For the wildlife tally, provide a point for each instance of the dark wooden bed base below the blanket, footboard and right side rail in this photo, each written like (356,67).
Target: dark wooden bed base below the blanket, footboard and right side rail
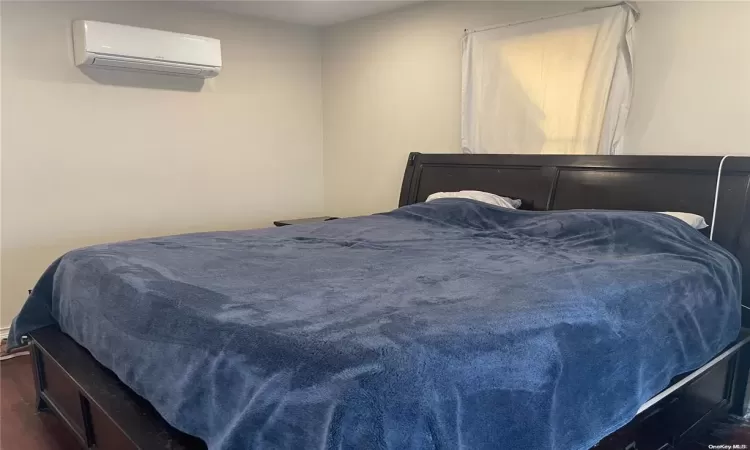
(103,413)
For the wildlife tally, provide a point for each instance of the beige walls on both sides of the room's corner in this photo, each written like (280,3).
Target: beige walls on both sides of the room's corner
(101,156)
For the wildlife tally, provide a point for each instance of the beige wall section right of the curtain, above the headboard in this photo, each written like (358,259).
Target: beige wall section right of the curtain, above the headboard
(692,79)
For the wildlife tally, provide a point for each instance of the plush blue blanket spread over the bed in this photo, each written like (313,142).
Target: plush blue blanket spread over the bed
(449,324)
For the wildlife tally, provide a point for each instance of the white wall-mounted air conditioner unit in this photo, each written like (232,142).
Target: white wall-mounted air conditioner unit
(111,46)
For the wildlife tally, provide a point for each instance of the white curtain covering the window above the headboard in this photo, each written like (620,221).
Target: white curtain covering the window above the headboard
(555,85)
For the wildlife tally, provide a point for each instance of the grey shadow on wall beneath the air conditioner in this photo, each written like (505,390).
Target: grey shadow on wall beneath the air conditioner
(143,79)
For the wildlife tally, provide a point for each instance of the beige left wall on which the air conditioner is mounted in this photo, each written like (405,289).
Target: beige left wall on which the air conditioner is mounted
(123,155)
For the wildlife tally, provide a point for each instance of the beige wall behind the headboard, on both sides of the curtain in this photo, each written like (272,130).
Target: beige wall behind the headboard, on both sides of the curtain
(391,85)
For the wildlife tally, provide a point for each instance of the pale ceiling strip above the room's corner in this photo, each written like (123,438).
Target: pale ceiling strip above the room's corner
(309,12)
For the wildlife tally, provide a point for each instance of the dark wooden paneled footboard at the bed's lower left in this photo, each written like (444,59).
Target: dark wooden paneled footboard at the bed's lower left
(100,410)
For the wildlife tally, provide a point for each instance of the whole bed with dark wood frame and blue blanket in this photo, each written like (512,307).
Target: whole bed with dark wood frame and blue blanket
(436,366)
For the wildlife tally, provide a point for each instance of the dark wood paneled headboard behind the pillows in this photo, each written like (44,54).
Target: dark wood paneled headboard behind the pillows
(641,183)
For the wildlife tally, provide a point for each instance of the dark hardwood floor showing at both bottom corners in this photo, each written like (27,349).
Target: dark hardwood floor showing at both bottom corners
(22,428)
